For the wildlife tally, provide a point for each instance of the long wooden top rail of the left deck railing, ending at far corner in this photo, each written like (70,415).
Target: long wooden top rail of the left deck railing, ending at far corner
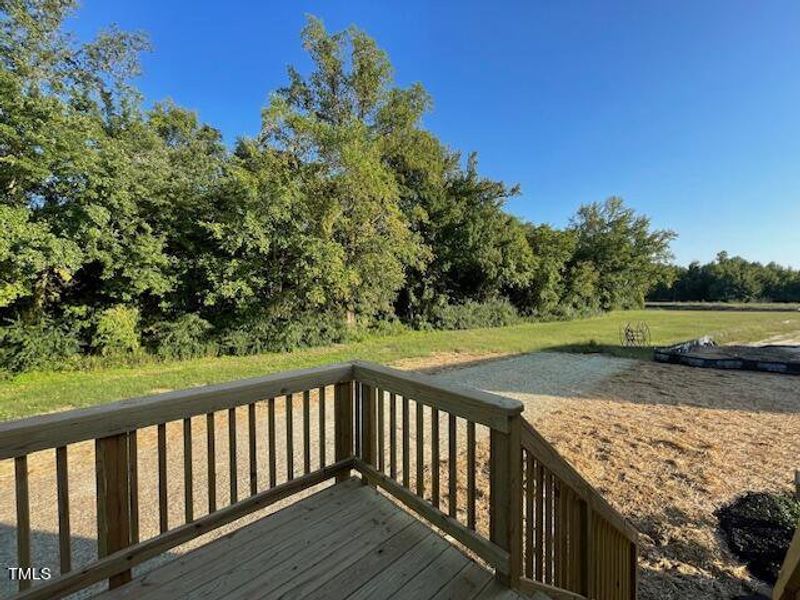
(42,432)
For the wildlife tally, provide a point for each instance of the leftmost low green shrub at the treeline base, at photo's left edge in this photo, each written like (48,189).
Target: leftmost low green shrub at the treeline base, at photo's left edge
(43,344)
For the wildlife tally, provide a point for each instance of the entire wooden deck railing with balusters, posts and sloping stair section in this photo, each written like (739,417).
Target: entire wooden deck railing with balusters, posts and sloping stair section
(464,460)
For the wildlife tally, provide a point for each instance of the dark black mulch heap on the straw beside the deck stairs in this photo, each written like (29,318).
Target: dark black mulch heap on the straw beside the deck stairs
(758,528)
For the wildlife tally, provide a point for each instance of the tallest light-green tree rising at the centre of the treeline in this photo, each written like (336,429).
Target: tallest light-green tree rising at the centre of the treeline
(328,127)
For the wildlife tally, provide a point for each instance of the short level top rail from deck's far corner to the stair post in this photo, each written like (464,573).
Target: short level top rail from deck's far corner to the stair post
(467,402)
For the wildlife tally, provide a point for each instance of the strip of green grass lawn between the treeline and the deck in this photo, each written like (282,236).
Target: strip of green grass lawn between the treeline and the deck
(34,393)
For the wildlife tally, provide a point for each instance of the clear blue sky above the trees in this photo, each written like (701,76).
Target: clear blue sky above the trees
(688,110)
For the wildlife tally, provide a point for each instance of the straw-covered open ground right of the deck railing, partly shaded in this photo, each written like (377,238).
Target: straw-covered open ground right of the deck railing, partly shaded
(667,445)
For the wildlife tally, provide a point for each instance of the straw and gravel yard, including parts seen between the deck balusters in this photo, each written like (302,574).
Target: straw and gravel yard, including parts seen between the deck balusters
(666,444)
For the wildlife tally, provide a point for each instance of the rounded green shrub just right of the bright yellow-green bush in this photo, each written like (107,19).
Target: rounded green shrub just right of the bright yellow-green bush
(186,337)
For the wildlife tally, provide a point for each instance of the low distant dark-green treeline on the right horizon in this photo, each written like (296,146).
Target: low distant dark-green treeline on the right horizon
(729,279)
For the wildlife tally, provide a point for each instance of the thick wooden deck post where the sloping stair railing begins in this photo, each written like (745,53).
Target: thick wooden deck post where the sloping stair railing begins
(506,497)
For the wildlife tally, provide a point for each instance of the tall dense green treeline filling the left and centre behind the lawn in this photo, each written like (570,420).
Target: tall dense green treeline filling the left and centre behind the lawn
(125,229)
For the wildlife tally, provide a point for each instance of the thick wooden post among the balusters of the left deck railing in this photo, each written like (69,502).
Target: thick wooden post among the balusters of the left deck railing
(112,459)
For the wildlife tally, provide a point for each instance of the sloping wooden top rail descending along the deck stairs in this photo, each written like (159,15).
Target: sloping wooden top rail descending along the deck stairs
(553,461)
